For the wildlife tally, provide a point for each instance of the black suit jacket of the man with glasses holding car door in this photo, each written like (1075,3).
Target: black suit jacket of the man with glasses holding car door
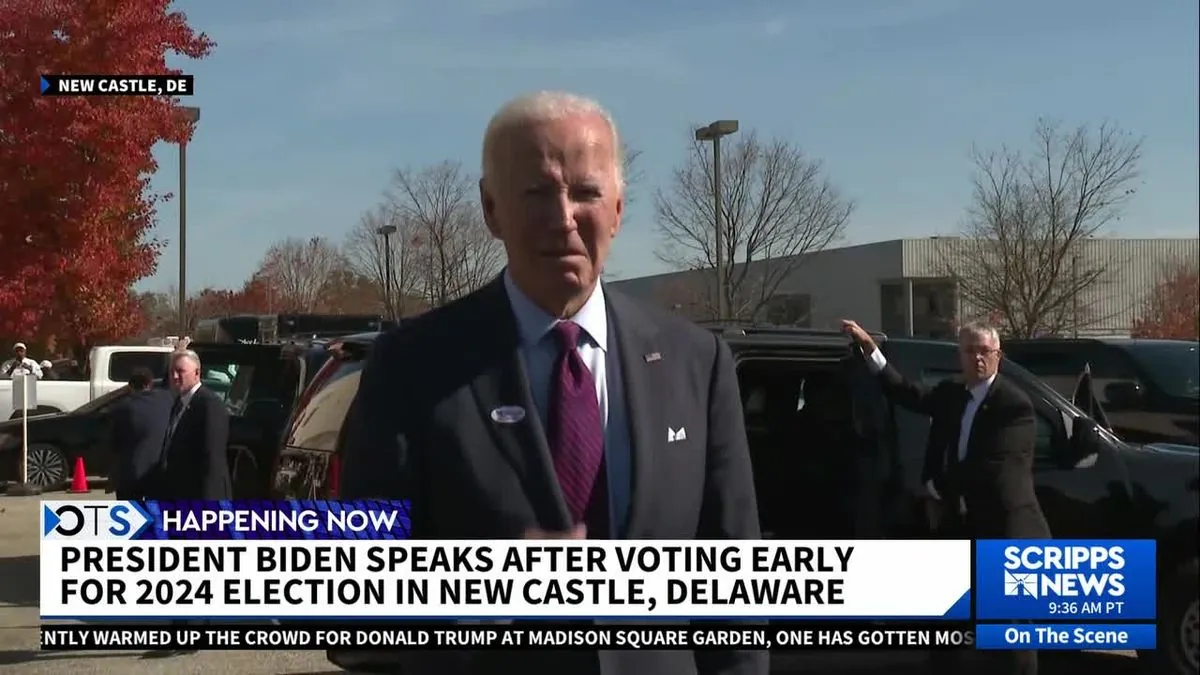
(997,477)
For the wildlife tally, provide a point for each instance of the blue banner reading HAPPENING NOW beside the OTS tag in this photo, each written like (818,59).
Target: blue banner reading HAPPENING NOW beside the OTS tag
(263,519)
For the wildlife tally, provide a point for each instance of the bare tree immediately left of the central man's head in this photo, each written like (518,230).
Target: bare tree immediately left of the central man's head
(455,253)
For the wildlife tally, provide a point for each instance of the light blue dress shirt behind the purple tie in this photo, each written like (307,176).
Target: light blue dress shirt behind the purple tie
(541,351)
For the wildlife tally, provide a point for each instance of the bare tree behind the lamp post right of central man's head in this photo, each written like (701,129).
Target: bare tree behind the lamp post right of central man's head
(777,205)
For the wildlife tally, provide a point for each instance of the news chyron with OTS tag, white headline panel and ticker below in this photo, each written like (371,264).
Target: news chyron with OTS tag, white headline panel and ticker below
(350,561)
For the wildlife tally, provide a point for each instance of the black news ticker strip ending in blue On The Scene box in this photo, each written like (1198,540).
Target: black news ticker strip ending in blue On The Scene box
(590,637)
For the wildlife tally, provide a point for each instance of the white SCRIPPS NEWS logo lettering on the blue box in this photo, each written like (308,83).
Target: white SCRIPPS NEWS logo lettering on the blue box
(1069,572)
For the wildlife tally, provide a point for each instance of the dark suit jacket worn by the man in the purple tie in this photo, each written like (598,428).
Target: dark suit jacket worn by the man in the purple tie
(422,429)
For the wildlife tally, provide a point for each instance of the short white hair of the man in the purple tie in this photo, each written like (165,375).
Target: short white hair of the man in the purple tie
(543,107)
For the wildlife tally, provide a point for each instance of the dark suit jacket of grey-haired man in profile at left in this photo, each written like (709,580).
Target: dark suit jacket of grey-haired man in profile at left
(197,462)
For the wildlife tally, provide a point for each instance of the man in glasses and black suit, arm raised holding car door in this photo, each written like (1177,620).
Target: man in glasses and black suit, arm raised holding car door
(979,471)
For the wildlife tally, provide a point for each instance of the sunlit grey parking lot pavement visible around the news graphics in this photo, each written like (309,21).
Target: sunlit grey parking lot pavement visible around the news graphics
(20,622)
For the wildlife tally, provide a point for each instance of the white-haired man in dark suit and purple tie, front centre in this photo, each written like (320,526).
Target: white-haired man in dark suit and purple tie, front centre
(548,405)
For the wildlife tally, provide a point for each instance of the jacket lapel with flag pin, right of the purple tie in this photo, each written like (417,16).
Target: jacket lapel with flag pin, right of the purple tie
(646,390)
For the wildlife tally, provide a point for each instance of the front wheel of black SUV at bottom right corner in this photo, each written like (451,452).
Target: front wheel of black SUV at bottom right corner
(1179,626)
